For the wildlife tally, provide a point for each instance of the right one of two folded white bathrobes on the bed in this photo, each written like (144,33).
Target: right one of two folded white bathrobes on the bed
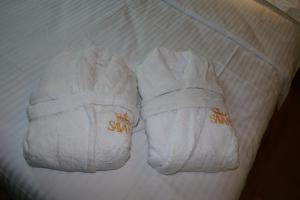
(186,122)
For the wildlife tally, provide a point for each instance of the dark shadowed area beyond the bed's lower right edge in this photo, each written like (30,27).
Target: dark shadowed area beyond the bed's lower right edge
(275,174)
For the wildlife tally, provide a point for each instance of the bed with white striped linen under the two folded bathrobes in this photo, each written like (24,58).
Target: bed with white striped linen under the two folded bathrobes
(255,52)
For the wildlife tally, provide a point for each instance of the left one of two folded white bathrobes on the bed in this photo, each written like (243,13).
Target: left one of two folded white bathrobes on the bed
(82,114)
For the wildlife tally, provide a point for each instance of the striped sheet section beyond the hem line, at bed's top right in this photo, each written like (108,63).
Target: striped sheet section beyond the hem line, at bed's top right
(262,31)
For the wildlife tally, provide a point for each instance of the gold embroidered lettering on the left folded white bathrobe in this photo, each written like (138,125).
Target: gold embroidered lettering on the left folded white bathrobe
(122,123)
